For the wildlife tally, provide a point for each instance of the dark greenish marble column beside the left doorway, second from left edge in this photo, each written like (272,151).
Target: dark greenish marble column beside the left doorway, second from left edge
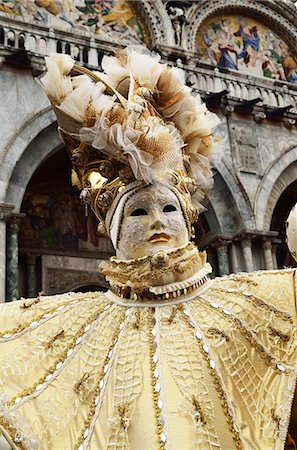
(12,271)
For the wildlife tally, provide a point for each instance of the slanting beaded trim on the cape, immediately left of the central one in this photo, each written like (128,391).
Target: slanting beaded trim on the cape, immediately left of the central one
(89,425)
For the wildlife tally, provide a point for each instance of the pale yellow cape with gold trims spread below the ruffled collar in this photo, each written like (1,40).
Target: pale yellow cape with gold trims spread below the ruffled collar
(215,372)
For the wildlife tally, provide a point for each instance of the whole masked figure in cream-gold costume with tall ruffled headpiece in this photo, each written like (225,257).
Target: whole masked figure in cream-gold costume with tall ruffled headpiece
(166,358)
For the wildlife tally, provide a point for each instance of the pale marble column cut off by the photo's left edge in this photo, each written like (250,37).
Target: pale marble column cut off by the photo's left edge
(5,211)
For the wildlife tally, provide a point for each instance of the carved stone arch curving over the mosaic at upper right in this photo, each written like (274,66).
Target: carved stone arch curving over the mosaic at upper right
(270,15)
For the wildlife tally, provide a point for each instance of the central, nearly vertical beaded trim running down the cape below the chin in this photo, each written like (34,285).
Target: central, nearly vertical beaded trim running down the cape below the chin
(157,392)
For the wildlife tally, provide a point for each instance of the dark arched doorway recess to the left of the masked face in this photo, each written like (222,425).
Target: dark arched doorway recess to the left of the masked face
(60,247)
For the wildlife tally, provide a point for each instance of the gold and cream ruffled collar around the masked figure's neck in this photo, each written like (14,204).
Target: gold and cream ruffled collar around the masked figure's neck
(162,276)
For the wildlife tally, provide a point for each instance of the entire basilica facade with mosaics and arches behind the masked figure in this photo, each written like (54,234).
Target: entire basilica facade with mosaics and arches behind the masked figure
(238,55)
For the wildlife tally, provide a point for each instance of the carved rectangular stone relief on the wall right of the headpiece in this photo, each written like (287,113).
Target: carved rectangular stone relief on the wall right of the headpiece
(245,150)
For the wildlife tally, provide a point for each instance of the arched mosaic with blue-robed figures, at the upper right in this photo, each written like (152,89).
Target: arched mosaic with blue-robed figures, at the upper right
(246,45)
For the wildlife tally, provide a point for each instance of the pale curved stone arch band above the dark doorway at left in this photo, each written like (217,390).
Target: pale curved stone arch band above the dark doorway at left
(18,146)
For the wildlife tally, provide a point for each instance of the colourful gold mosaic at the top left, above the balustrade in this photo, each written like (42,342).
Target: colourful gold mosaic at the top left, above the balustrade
(112,20)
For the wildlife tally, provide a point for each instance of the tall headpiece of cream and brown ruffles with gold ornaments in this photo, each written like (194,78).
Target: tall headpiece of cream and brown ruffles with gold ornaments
(136,120)
